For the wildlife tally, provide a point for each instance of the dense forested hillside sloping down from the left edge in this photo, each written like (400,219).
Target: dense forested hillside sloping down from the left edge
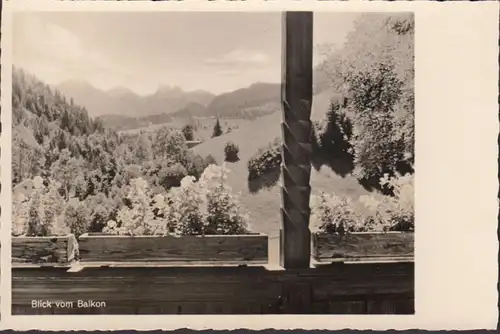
(86,165)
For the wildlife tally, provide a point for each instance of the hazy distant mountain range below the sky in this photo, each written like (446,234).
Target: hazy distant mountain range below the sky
(122,108)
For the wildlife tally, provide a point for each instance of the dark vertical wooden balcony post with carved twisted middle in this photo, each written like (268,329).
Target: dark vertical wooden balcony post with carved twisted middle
(296,99)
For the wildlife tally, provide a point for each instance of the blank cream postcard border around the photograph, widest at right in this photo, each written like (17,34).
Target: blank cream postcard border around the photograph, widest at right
(456,91)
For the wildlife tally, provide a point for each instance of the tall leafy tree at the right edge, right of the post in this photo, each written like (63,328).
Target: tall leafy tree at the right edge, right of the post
(375,73)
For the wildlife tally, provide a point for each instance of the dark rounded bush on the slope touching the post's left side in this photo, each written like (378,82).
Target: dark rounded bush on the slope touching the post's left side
(265,160)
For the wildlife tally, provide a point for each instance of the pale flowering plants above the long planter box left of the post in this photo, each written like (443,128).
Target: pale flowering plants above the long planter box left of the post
(205,207)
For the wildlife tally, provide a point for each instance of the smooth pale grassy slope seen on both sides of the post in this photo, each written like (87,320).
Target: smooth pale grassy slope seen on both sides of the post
(264,205)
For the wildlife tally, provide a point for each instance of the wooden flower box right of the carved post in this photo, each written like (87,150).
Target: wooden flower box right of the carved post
(358,246)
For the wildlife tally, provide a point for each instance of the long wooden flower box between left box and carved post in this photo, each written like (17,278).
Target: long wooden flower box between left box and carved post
(217,248)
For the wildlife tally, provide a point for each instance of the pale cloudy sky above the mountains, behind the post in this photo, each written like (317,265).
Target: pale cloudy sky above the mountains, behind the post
(215,51)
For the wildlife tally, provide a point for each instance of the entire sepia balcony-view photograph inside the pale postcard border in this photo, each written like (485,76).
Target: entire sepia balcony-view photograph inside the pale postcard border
(212,162)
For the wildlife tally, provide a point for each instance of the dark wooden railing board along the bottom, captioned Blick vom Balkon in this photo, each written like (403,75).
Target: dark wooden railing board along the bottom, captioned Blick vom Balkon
(338,289)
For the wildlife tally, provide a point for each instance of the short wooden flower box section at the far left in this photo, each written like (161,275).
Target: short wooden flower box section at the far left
(59,250)
